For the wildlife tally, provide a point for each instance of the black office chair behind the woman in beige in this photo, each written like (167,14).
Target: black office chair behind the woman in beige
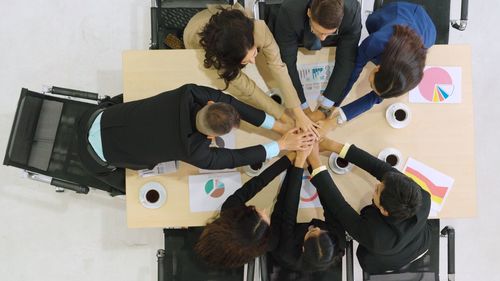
(170,17)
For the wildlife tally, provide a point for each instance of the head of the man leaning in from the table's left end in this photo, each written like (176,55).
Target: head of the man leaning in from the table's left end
(216,119)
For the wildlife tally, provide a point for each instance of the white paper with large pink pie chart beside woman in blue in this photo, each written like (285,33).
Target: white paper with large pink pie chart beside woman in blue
(439,85)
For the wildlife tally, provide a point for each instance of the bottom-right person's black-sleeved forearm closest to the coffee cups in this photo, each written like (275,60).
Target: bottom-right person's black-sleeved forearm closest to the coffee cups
(368,162)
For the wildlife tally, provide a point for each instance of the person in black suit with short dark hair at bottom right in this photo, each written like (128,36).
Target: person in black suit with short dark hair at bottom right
(393,231)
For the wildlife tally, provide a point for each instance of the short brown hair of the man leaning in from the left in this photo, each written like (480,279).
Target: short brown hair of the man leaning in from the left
(222,117)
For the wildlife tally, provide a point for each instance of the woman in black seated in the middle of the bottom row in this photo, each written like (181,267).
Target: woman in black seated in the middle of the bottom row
(300,249)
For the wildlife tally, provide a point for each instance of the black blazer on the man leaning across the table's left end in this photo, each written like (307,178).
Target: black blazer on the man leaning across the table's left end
(143,133)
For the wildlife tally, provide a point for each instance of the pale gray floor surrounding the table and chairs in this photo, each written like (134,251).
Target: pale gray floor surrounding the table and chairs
(51,236)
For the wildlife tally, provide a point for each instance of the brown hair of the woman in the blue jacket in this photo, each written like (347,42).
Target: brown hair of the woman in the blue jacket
(402,63)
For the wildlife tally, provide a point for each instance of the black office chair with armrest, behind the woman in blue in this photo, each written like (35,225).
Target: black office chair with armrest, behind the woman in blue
(439,11)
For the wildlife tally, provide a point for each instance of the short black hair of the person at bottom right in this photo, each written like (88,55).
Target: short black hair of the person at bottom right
(401,196)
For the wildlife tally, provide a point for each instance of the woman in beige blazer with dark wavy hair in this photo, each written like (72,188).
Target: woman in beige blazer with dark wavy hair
(231,40)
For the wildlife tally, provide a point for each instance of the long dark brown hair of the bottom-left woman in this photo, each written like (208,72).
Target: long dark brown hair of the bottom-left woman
(236,237)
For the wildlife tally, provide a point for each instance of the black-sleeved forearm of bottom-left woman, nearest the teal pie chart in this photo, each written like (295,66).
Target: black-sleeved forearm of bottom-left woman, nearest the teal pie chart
(256,184)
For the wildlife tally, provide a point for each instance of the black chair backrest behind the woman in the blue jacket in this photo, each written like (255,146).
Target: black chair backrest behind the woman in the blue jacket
(439,12)
